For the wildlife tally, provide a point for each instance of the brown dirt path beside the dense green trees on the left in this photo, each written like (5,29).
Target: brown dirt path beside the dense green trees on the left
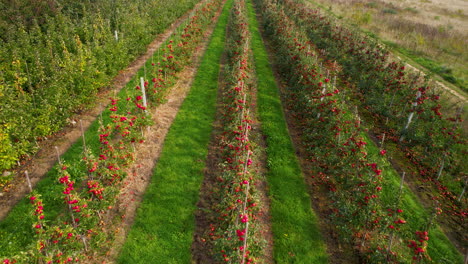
(38,165)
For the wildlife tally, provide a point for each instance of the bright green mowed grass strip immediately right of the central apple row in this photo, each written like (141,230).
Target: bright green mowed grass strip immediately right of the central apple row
(297,238)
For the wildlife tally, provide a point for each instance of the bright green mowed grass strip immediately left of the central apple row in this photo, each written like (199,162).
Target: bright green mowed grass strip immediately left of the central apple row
(164,225)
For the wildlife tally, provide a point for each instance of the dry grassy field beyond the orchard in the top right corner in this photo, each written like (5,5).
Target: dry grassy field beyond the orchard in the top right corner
(433,31)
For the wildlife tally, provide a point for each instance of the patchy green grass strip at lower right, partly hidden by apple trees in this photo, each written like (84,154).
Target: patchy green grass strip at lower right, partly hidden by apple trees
(440,249)
